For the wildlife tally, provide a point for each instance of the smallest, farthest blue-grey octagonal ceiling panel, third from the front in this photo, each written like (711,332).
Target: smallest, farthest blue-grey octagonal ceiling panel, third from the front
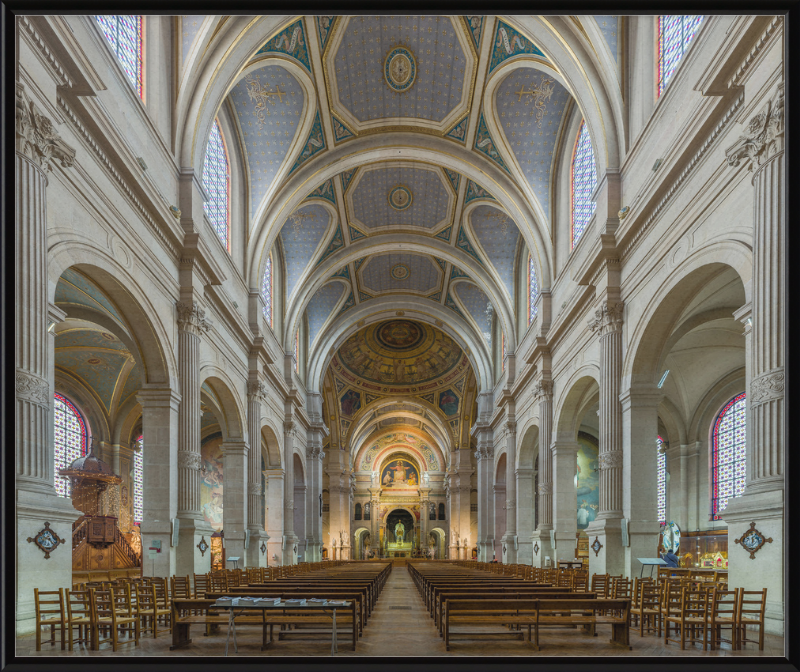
(400,272)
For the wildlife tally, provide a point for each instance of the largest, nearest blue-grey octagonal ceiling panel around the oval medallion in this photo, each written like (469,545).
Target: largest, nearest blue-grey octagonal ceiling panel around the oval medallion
(439,62)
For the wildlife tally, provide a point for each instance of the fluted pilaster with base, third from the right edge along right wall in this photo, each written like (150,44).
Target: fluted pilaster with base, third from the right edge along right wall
(542,546)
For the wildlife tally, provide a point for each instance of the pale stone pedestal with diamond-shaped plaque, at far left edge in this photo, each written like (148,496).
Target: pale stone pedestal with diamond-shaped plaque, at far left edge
(33,570)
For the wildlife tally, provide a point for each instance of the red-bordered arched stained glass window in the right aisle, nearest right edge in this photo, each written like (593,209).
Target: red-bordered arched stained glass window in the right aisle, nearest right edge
(728,455)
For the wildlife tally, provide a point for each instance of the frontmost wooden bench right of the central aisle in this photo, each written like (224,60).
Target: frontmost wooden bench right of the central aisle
(536,613)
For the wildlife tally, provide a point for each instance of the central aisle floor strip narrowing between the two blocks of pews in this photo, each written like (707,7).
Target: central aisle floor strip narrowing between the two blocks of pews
(404,631)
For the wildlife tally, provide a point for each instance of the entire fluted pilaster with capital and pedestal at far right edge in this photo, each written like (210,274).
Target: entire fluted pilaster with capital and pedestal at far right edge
(762,149)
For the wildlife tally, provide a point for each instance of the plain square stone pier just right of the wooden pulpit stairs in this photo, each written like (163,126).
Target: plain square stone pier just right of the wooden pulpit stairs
(160,430)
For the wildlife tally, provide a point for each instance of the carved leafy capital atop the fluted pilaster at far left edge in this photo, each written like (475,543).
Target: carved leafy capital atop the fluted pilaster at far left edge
(35,136)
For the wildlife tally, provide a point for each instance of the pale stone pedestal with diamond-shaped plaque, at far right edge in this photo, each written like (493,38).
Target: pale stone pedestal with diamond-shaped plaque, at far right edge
(765,570)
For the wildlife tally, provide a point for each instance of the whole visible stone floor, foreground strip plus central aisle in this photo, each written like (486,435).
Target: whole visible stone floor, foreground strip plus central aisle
(400,627)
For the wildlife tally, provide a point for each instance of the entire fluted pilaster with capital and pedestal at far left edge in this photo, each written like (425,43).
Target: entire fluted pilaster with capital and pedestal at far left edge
(38,147)
